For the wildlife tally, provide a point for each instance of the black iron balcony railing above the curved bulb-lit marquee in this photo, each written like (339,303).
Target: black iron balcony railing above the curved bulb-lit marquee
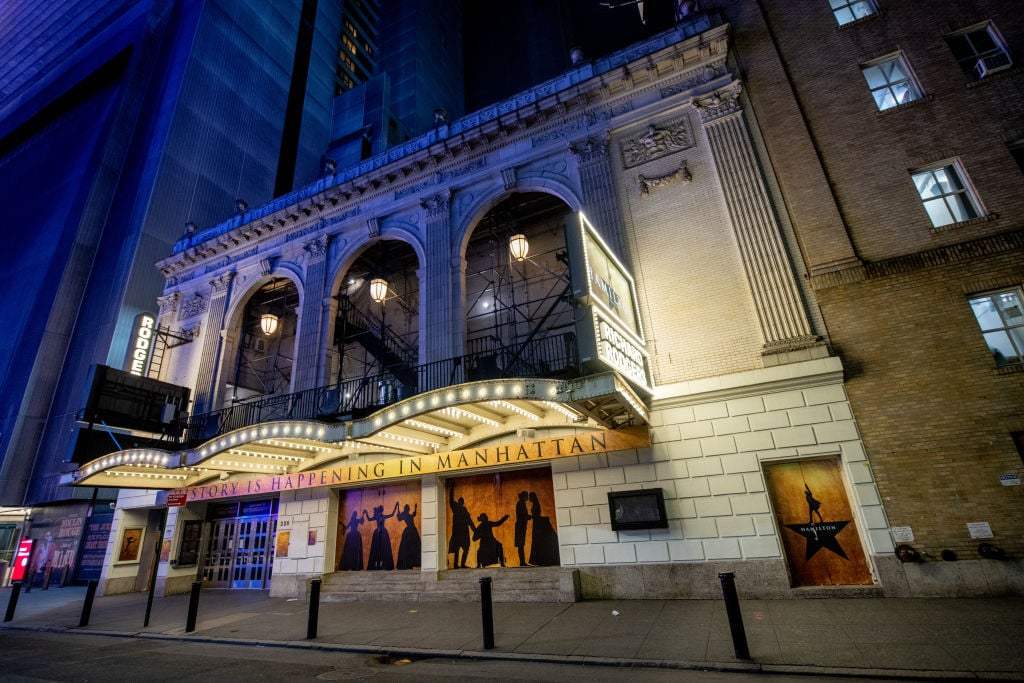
(553,357)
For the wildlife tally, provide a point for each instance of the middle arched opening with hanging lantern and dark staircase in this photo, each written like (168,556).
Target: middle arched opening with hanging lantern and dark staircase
(376,330)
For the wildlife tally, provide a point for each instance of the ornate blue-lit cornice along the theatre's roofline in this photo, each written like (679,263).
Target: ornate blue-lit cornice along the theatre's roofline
(575,98)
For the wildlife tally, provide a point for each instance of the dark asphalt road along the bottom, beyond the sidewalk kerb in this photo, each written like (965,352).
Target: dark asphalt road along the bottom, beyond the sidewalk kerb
(36,657)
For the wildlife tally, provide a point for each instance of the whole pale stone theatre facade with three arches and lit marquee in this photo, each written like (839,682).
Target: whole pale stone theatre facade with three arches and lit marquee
(569,336)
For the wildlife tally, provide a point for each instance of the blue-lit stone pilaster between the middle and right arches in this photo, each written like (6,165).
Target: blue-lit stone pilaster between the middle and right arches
(441,318)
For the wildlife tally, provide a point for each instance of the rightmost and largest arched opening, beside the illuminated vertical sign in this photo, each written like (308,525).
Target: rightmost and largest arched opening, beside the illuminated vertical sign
(520,311)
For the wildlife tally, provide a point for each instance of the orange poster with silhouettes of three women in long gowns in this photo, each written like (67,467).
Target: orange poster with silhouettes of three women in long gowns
(379,529)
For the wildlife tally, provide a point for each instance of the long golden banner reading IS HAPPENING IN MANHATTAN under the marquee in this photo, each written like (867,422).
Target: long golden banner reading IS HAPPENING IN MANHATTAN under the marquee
(572,446)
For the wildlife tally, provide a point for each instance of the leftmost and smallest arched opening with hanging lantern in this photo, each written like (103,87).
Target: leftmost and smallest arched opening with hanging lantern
(267,344)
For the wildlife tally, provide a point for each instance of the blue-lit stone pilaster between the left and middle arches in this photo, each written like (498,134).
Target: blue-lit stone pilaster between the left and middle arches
(310,351)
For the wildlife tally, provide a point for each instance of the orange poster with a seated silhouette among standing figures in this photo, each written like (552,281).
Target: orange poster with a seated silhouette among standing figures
(504,520)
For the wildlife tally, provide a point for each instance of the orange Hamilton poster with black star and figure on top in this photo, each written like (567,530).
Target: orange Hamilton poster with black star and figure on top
(817,525)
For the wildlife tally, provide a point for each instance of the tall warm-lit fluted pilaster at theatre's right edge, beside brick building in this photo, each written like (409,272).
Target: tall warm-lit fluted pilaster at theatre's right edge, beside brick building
(784,320)
